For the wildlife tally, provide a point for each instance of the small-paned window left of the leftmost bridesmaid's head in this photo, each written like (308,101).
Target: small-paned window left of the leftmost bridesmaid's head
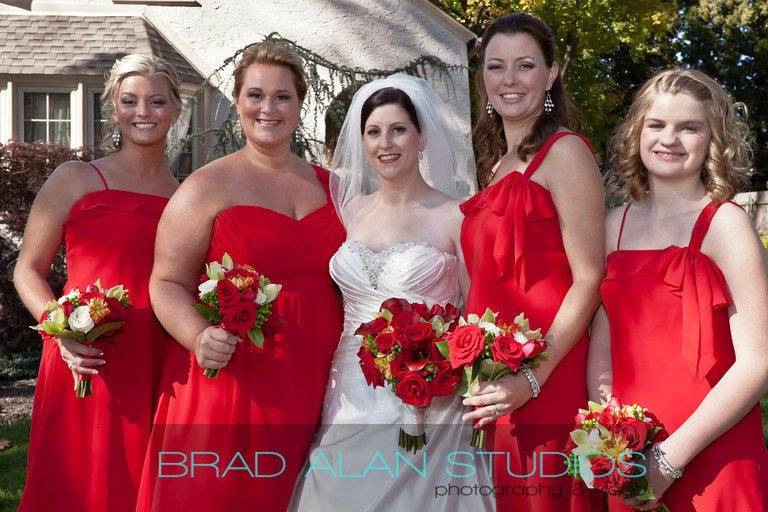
(47,116)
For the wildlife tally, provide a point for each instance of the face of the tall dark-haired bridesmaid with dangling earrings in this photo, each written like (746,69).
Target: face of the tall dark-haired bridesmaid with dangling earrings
(516,76)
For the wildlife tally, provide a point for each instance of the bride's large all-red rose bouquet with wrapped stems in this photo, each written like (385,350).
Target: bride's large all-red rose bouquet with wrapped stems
(398,350)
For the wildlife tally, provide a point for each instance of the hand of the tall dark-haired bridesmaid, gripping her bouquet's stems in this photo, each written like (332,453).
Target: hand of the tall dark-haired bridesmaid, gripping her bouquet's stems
(497,398)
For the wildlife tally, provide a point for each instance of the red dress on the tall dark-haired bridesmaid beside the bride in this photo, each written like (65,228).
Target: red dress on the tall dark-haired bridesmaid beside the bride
(517,263)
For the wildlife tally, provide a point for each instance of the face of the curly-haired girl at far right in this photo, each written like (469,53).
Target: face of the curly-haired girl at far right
(675,137)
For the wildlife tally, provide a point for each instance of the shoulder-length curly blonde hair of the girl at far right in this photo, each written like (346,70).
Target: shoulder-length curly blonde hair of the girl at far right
(729,156)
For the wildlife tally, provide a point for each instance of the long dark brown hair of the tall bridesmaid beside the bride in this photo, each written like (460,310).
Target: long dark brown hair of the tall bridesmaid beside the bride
(488,132)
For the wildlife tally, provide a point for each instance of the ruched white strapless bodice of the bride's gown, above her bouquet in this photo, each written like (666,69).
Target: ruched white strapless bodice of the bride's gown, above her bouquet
(412,270)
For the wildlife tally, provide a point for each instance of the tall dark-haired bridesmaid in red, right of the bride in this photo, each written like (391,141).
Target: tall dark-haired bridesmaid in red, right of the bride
(532,240)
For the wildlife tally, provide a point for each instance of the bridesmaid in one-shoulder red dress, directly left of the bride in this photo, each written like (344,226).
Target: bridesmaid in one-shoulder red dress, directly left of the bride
(238,441)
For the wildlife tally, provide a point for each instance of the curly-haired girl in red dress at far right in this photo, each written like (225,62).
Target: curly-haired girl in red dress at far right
(685,300)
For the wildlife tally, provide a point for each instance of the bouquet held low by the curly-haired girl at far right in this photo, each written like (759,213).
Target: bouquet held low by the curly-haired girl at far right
(606,449)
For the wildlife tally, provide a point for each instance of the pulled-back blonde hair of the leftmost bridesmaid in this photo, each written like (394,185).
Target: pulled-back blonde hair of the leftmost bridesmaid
(134,64)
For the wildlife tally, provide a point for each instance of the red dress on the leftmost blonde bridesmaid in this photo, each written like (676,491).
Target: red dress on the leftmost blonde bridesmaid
(87,454)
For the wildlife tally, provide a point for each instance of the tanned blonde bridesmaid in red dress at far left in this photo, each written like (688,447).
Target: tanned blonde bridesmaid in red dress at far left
(87,454)
